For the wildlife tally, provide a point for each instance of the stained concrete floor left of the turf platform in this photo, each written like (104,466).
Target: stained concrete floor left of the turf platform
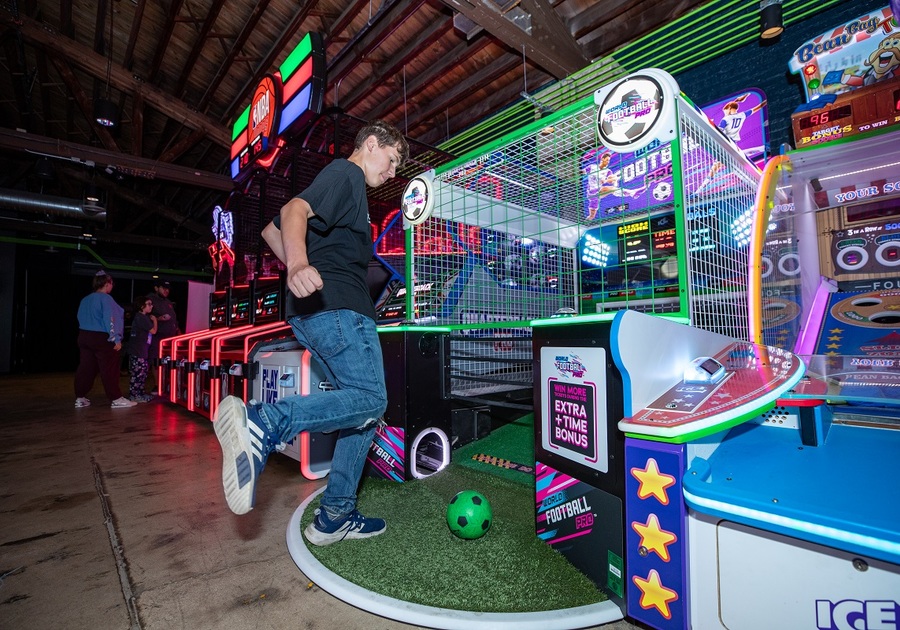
(115,518)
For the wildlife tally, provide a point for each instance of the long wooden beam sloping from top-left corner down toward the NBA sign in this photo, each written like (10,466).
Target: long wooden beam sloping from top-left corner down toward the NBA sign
(39,34)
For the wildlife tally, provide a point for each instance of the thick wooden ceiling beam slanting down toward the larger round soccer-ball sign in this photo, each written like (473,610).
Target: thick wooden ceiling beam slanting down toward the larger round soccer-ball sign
(549,46)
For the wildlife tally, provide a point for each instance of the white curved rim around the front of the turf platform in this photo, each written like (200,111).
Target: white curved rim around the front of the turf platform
(431,617)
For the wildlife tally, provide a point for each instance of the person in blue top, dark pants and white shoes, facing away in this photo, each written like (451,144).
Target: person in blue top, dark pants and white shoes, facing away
(101,325)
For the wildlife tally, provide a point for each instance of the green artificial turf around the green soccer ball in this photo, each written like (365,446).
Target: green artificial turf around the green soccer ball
(419,560)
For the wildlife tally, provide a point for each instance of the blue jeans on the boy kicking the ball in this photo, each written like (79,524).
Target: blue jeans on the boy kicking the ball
(346,345)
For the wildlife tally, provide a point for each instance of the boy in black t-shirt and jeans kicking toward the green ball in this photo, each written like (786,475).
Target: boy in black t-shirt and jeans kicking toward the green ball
(324,238)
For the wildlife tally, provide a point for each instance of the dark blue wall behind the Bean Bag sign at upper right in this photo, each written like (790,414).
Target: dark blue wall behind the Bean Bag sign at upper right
(764,65)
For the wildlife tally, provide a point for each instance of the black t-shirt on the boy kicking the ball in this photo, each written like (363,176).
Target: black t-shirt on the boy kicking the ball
(338,241)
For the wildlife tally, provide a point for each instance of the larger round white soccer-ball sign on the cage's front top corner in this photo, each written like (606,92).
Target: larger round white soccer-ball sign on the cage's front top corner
(637,110)
